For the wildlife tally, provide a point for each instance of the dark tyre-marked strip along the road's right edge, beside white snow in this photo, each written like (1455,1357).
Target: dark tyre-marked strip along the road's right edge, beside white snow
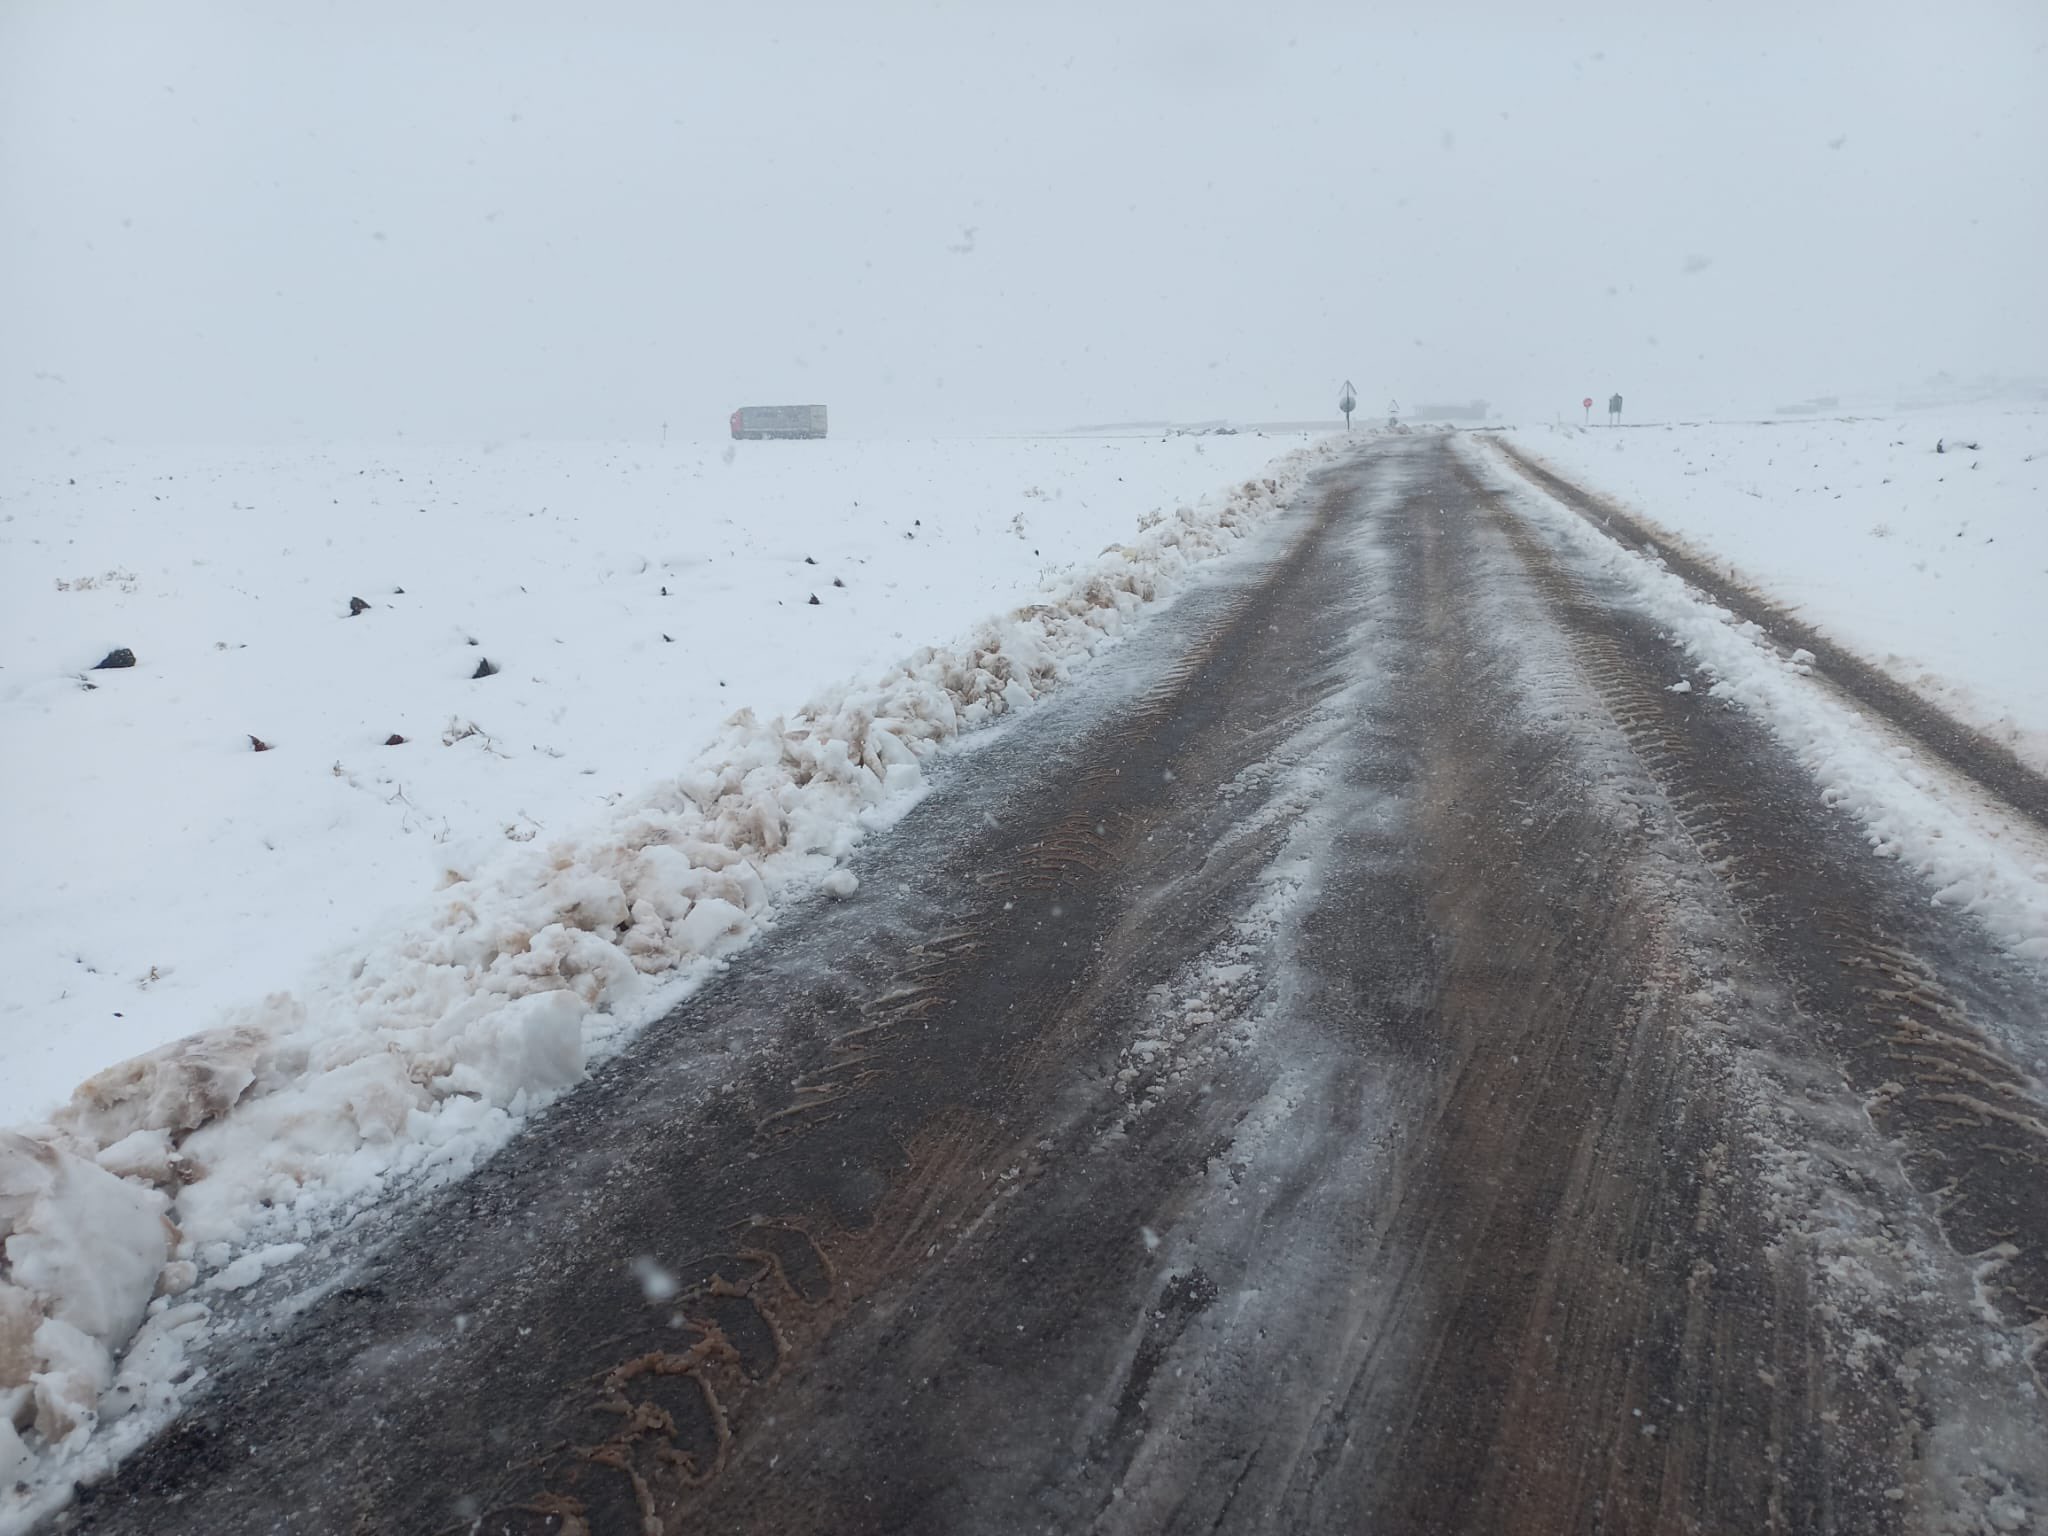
(1861,949)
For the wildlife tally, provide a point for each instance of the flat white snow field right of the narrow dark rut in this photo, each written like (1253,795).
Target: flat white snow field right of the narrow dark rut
(1932,566)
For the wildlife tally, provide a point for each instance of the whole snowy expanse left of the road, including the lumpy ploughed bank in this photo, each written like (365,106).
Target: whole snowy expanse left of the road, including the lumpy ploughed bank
(357,962)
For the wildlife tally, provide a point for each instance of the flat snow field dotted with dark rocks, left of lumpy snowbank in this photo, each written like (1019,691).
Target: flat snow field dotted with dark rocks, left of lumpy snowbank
(620,601)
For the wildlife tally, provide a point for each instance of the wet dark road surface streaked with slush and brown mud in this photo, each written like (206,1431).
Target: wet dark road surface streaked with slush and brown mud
(1367,1060)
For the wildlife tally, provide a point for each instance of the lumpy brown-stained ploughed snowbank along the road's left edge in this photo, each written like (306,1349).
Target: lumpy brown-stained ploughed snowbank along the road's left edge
(198,1166)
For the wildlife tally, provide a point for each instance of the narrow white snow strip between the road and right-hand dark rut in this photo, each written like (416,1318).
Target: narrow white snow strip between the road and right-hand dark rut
(1973,853)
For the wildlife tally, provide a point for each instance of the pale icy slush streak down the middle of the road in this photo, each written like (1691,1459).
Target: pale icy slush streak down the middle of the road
(1252,1009)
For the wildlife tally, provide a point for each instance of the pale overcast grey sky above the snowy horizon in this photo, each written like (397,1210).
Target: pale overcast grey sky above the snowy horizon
(251,222)
